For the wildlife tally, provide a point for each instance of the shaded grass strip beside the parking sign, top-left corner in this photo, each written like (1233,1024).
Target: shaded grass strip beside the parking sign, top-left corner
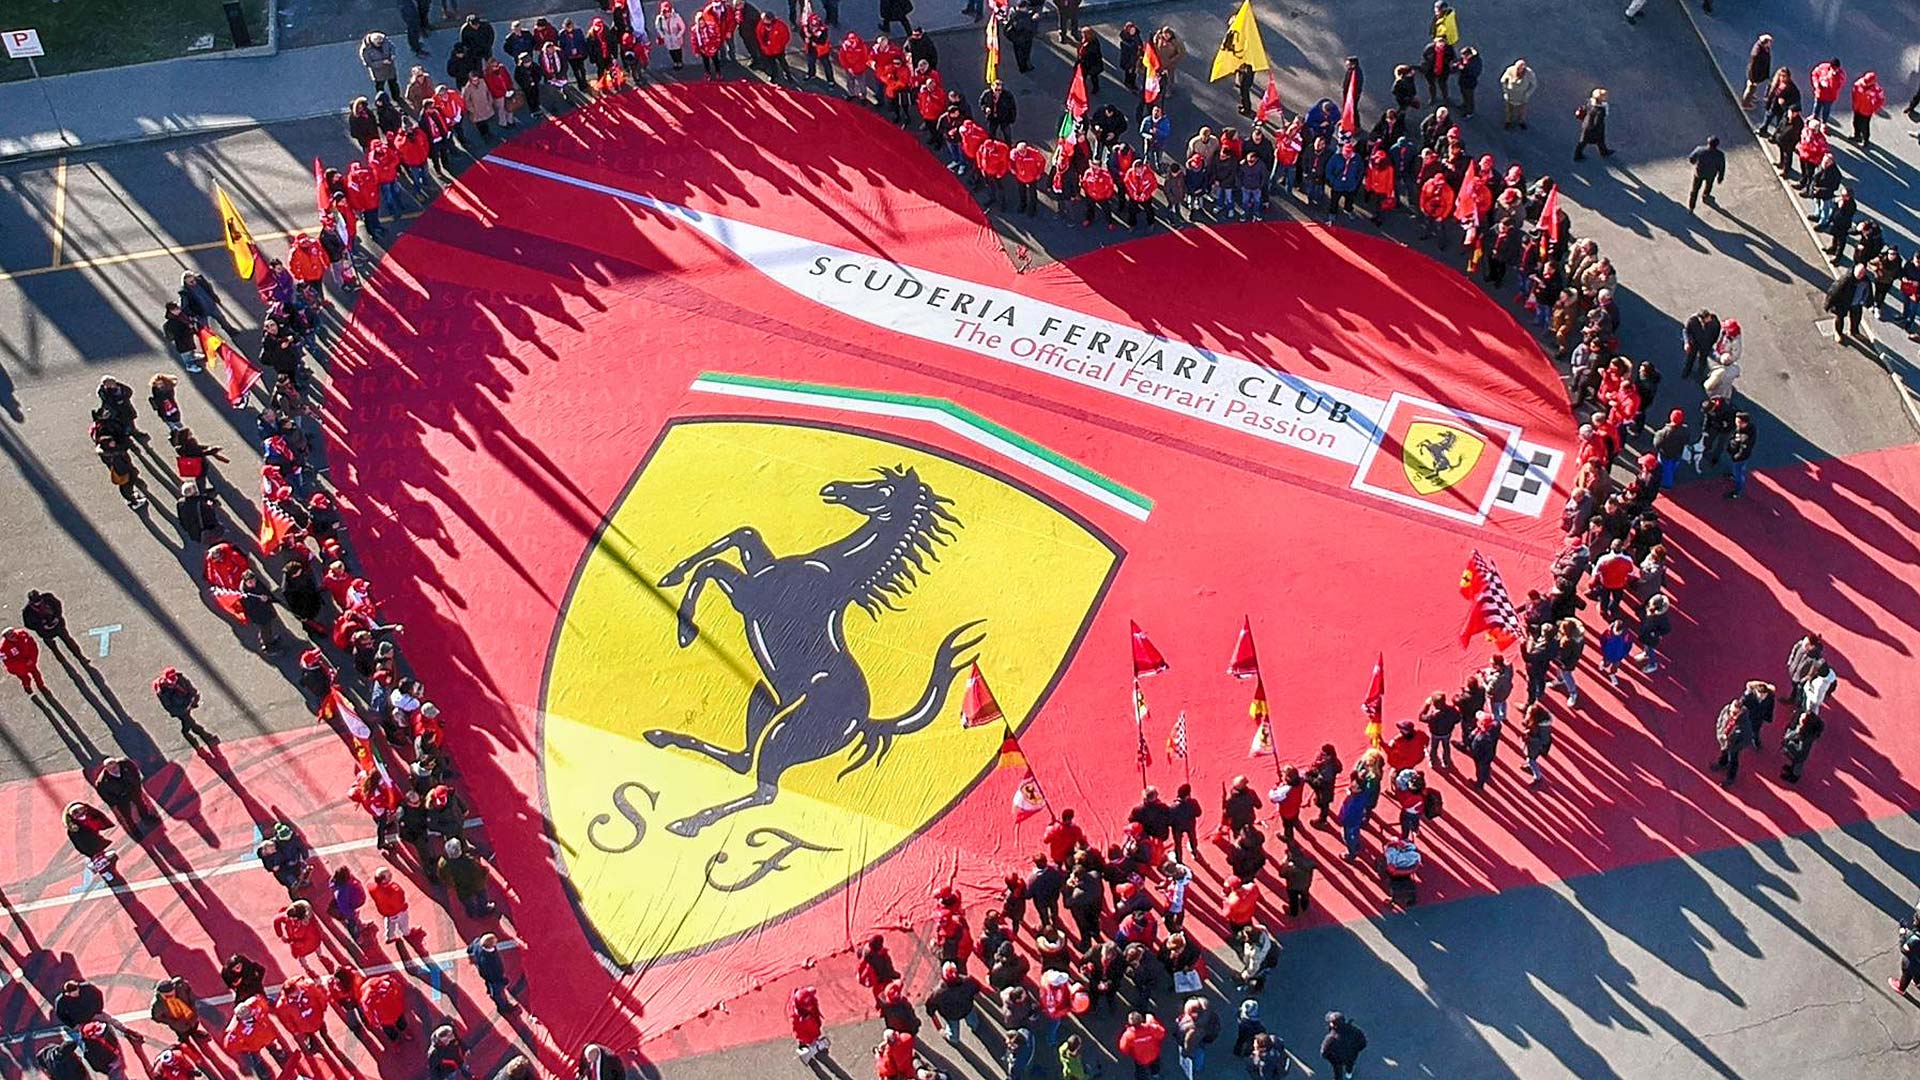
(82,36)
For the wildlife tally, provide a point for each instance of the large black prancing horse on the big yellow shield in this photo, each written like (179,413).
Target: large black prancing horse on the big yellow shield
(813,699)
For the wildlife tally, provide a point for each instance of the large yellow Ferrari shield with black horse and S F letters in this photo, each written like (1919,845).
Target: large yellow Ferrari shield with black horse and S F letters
(756,689)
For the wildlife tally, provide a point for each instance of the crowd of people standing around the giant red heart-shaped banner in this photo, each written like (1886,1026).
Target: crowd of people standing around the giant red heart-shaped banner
(1111,927)
